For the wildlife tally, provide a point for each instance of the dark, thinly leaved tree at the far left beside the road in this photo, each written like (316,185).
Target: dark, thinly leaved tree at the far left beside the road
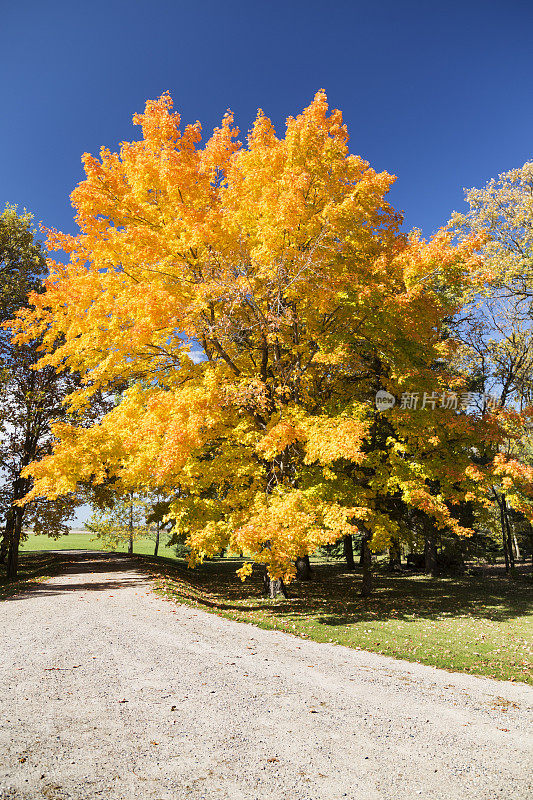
(29,399)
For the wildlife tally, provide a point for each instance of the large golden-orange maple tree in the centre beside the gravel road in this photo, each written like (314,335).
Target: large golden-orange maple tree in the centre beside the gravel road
(254,299)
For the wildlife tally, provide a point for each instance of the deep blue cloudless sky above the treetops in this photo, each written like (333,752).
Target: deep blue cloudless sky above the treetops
(438,93)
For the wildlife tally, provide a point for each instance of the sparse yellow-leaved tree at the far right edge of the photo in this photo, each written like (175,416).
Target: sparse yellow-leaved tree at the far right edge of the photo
(497,343)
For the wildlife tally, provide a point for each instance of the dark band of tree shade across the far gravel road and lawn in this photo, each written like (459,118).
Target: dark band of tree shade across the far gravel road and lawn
(331,597)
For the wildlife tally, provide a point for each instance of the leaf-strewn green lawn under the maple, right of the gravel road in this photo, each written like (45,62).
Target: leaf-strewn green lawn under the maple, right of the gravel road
(478,625)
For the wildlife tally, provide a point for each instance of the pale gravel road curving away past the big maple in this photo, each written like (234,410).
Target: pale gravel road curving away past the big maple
(106,691)
